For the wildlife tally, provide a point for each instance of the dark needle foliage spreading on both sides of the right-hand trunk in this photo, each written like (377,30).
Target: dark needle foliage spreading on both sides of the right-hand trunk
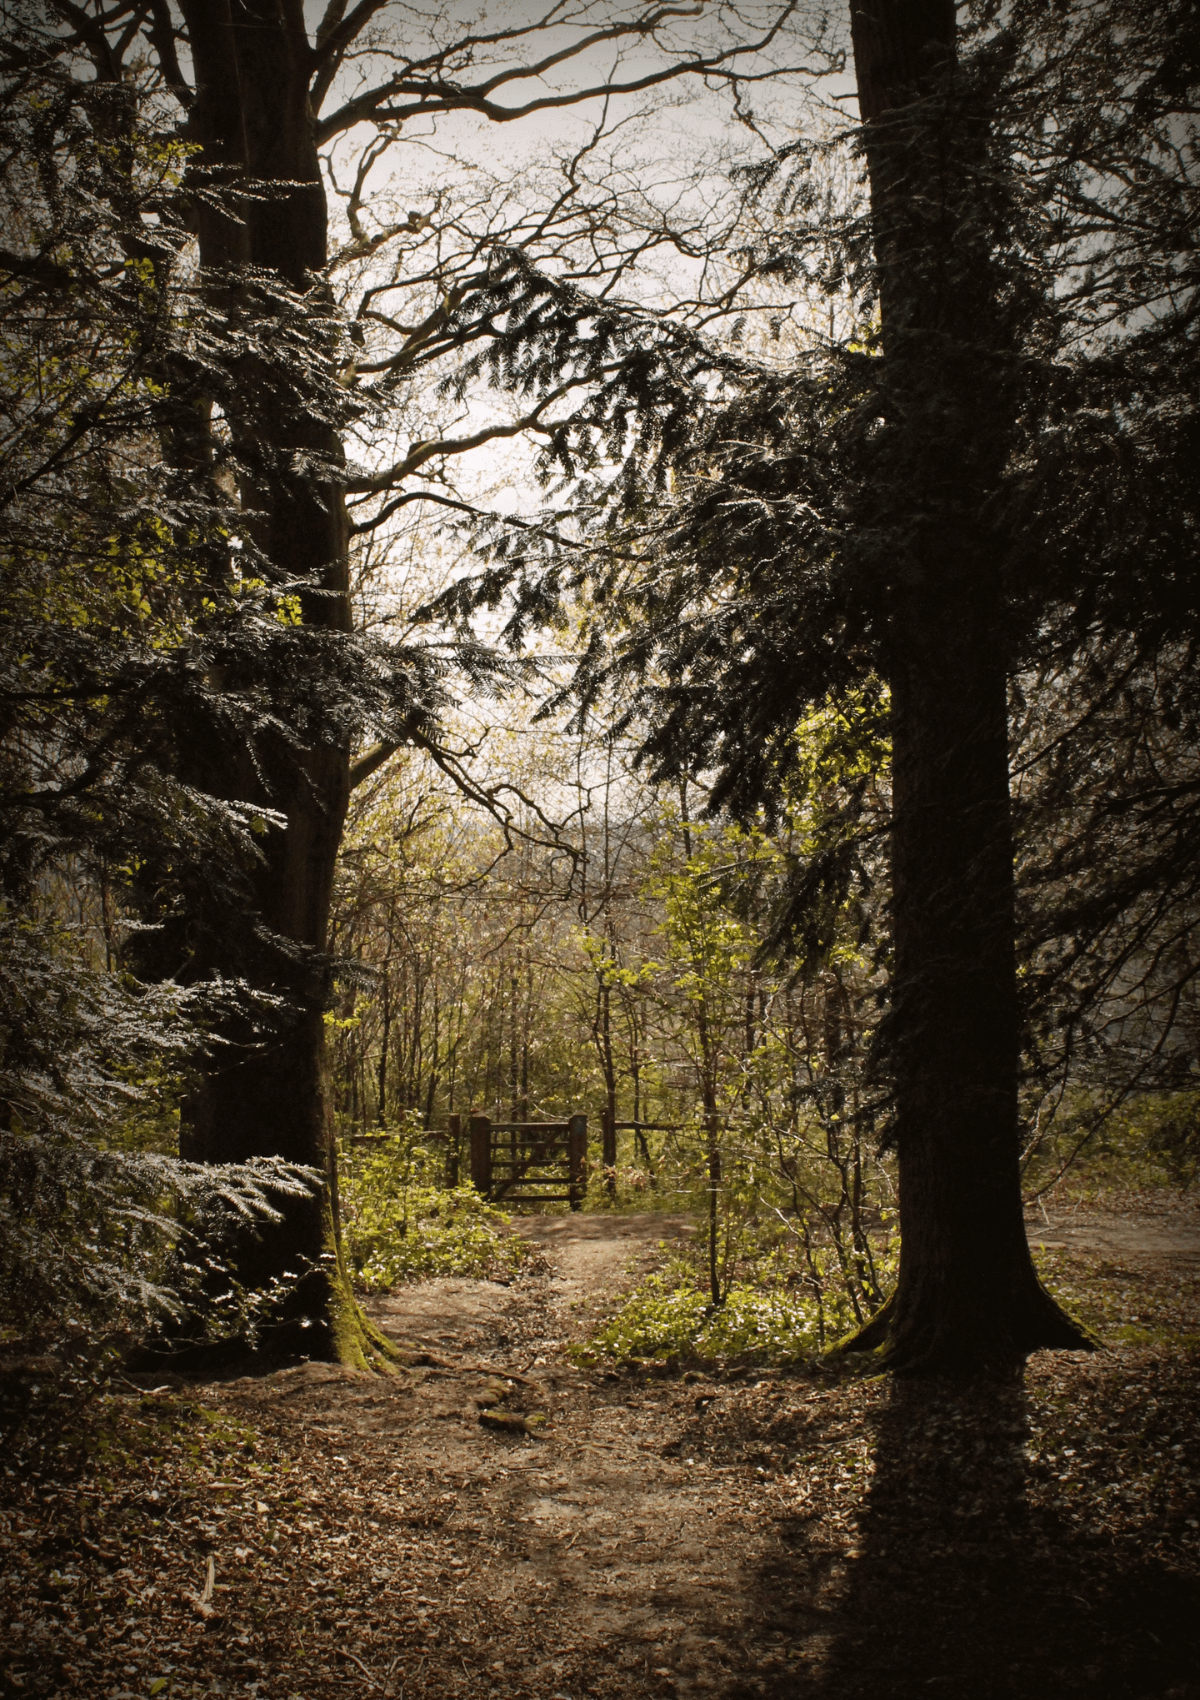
(730,518)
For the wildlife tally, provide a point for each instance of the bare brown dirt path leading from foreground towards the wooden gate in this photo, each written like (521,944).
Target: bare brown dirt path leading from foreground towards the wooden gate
(586,1550)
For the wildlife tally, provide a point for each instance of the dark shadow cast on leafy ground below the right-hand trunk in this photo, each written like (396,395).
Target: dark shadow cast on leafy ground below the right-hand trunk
(958,1585)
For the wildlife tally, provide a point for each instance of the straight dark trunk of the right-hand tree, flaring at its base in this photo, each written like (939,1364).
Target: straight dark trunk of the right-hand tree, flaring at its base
(968,1295)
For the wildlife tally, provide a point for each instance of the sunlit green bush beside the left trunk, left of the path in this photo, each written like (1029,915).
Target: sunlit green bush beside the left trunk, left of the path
(400,1225)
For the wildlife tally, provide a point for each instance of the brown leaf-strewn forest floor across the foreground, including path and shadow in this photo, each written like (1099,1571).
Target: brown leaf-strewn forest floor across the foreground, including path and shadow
(754,1534)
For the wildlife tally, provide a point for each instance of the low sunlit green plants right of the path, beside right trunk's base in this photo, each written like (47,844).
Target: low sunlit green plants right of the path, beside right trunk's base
(671,1318)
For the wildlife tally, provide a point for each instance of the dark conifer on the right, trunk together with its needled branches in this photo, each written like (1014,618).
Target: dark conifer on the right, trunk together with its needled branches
(915,523)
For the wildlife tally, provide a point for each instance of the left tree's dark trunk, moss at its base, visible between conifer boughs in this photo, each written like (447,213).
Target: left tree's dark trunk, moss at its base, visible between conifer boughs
(252,122)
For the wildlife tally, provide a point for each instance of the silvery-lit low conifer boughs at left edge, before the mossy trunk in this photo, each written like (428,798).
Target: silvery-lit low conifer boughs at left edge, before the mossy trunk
(101,1244)
